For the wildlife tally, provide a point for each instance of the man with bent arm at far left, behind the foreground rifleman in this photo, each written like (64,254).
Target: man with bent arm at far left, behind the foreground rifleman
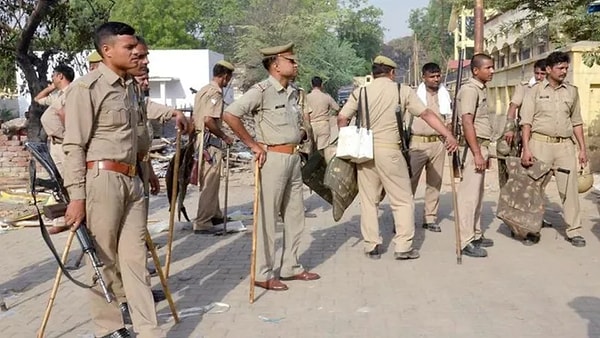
(52,118)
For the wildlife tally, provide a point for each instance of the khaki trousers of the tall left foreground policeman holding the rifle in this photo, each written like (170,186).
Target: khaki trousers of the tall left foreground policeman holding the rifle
(116,215)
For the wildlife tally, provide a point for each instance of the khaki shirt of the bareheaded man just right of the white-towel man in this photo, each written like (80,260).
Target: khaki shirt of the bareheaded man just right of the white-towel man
(472,99)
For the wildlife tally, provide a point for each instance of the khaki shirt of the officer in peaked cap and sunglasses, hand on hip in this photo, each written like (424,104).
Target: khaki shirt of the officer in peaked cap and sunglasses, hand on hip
(277,116)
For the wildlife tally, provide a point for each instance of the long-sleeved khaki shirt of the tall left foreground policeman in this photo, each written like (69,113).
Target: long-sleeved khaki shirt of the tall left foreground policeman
(101,116)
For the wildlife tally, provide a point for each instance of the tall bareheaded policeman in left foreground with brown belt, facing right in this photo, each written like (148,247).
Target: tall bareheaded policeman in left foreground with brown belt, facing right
(101,151)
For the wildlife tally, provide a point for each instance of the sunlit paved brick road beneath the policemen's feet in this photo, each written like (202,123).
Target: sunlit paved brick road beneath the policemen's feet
(547,290)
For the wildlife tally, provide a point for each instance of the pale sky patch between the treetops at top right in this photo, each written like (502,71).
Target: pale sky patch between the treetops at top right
(395,15)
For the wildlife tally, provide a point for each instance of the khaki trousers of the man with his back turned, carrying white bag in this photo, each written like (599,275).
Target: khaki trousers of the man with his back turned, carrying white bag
(387,171)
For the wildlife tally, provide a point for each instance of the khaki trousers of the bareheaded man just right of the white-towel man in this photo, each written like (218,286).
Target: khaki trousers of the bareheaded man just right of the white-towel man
(470,197)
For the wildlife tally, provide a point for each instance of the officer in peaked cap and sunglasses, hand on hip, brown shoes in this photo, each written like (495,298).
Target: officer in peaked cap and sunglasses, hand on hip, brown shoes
(278,120)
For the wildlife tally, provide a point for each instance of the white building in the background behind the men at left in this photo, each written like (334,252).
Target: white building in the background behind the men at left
(172,73)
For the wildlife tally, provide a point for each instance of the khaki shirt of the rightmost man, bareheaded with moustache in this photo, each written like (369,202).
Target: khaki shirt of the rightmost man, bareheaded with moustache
(552,111)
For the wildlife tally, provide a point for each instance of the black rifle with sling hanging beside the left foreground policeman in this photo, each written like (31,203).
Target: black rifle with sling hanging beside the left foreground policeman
(40,152)
